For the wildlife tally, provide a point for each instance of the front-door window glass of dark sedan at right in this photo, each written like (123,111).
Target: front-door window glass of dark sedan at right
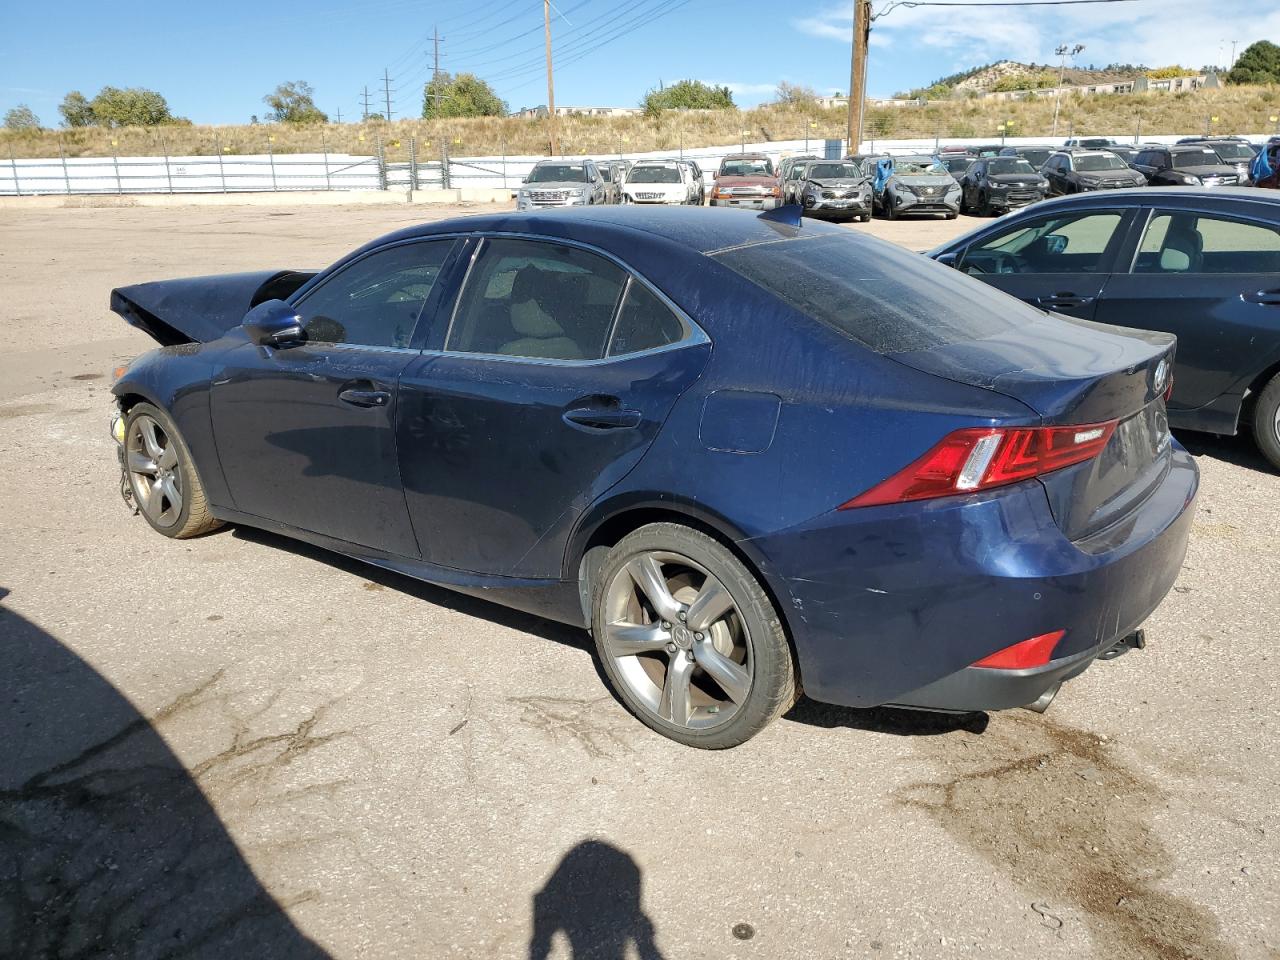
(1067,244)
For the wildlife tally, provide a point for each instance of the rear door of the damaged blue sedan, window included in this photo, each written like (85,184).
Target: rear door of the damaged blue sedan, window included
(556,373)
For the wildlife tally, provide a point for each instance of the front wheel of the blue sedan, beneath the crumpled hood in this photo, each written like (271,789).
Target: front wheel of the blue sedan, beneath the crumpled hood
(162,476)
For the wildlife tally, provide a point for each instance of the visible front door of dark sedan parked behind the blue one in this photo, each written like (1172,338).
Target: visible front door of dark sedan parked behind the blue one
(1057,262)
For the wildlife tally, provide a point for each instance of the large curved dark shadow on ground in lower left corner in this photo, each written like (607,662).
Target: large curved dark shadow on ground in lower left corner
(108,847)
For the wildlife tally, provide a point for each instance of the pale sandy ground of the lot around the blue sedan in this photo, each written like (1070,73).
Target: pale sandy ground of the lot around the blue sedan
(244,747)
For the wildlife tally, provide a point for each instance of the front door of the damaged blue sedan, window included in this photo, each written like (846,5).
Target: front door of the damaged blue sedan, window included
(307,433)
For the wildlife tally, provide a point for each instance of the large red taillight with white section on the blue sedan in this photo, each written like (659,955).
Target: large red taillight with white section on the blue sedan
(979,459)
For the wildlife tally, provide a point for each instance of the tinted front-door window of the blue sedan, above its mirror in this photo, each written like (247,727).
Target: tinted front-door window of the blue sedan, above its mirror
(377,300)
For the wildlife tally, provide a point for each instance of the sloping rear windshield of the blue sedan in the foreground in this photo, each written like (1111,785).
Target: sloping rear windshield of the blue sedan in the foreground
(884,298)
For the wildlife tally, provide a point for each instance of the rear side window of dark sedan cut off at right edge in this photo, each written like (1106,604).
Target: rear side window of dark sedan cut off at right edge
(1194,244)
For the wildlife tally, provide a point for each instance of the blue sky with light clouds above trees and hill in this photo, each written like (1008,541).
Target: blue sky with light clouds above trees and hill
(214,63)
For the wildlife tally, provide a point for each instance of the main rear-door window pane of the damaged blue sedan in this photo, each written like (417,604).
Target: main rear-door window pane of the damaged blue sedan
(538,300)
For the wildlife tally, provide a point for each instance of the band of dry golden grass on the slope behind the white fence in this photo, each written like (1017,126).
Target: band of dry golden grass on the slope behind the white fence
(1237,108)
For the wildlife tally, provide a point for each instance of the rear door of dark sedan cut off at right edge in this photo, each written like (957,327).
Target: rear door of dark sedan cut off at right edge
(1214,281)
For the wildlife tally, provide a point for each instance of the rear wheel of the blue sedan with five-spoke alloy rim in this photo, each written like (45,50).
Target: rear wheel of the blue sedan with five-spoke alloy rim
(689,639)
